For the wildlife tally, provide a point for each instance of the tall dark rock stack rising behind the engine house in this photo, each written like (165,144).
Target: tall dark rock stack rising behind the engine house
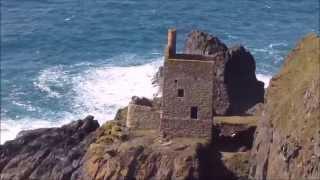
(237,89)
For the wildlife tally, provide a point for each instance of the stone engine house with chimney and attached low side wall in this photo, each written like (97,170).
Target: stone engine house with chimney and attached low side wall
(186,106)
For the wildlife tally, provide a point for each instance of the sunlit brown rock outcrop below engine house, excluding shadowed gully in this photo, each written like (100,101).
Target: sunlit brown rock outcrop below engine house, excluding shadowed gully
(142,154)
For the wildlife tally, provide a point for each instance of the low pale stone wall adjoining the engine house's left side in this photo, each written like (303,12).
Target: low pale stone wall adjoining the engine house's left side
(143,117)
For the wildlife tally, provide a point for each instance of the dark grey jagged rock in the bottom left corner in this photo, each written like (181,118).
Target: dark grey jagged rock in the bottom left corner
(48,153)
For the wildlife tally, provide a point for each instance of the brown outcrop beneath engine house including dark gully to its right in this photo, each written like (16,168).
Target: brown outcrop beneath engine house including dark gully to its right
(142,154)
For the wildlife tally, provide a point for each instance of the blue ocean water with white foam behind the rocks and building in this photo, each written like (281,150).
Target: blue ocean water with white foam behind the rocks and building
(64,59)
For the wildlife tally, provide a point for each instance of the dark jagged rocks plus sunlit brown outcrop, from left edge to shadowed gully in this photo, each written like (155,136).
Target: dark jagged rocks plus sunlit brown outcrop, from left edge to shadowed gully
(81,151)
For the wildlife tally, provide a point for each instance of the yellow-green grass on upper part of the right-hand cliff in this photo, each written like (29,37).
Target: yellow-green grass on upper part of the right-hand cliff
(293,95)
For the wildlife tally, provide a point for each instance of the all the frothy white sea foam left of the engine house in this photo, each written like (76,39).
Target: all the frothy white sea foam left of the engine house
(98,91)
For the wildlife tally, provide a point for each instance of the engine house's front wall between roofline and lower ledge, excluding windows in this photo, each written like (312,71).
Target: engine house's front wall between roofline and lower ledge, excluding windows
(195,77)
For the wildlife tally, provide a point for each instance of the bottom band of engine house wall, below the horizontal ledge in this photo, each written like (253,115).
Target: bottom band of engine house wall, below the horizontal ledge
(186,128)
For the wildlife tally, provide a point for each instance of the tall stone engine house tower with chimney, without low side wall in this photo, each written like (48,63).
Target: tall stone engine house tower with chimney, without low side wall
(187,101)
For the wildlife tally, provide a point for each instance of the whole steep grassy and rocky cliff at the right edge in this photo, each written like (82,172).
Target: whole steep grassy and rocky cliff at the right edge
(287,143)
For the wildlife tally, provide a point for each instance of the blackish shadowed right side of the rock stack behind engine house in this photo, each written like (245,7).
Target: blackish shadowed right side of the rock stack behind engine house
(243,88)
